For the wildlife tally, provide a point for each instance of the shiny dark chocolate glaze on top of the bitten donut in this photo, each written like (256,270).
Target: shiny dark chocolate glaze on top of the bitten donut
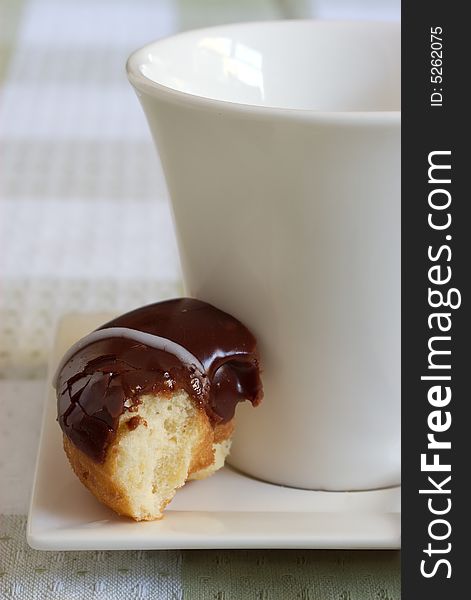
(106,377)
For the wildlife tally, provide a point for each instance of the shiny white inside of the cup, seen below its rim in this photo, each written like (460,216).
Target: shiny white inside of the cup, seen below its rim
(307,65)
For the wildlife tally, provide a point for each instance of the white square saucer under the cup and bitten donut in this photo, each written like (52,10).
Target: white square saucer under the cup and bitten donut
(228,510)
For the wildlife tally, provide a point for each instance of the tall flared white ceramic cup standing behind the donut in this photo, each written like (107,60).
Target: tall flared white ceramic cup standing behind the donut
(280,143)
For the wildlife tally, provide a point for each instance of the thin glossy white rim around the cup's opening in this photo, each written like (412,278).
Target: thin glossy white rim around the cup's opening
(145,85)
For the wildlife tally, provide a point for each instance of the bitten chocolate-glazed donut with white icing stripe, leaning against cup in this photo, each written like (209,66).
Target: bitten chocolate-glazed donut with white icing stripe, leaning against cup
(147,401)
